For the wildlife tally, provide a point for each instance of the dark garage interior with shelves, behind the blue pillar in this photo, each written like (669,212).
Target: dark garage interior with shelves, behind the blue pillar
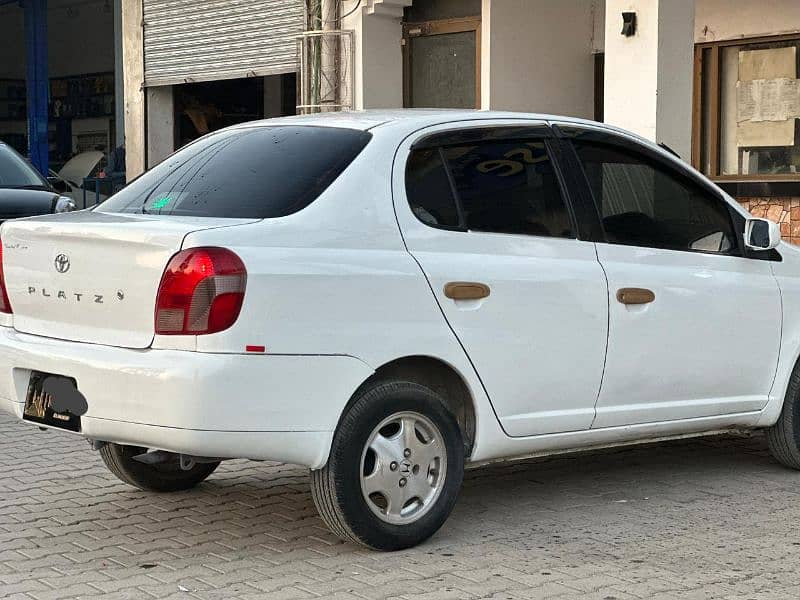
(79,63)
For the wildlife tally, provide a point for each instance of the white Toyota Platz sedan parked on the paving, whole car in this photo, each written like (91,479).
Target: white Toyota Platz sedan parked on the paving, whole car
(383,297)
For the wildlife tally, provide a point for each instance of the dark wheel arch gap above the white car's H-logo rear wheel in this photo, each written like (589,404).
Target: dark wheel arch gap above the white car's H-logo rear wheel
(438,375)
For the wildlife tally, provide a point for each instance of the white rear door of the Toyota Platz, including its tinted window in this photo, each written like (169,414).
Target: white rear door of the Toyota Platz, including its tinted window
(483,211)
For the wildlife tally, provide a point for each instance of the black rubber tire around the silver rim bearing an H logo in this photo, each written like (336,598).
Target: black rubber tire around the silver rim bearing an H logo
(336,488)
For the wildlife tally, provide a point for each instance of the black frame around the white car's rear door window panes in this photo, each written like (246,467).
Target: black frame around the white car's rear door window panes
(487,134)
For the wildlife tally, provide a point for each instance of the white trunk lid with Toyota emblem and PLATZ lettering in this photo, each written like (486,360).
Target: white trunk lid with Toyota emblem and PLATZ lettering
(92,276)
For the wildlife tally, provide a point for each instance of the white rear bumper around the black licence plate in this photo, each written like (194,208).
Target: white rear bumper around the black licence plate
(265,407)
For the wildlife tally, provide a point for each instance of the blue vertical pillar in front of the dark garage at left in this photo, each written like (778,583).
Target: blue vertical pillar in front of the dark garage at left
(37,82)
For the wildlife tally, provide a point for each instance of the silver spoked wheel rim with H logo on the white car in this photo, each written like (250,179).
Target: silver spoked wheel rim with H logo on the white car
(403,468)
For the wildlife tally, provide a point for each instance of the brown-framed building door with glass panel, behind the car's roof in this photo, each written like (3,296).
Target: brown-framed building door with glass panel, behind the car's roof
(441,63)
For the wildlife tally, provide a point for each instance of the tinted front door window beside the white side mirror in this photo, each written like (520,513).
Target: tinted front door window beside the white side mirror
(643,203)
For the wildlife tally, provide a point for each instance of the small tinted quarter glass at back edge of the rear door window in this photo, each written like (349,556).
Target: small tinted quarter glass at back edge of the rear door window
(428,189)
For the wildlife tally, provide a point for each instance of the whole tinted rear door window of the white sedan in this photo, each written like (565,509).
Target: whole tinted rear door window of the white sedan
(498,187)
